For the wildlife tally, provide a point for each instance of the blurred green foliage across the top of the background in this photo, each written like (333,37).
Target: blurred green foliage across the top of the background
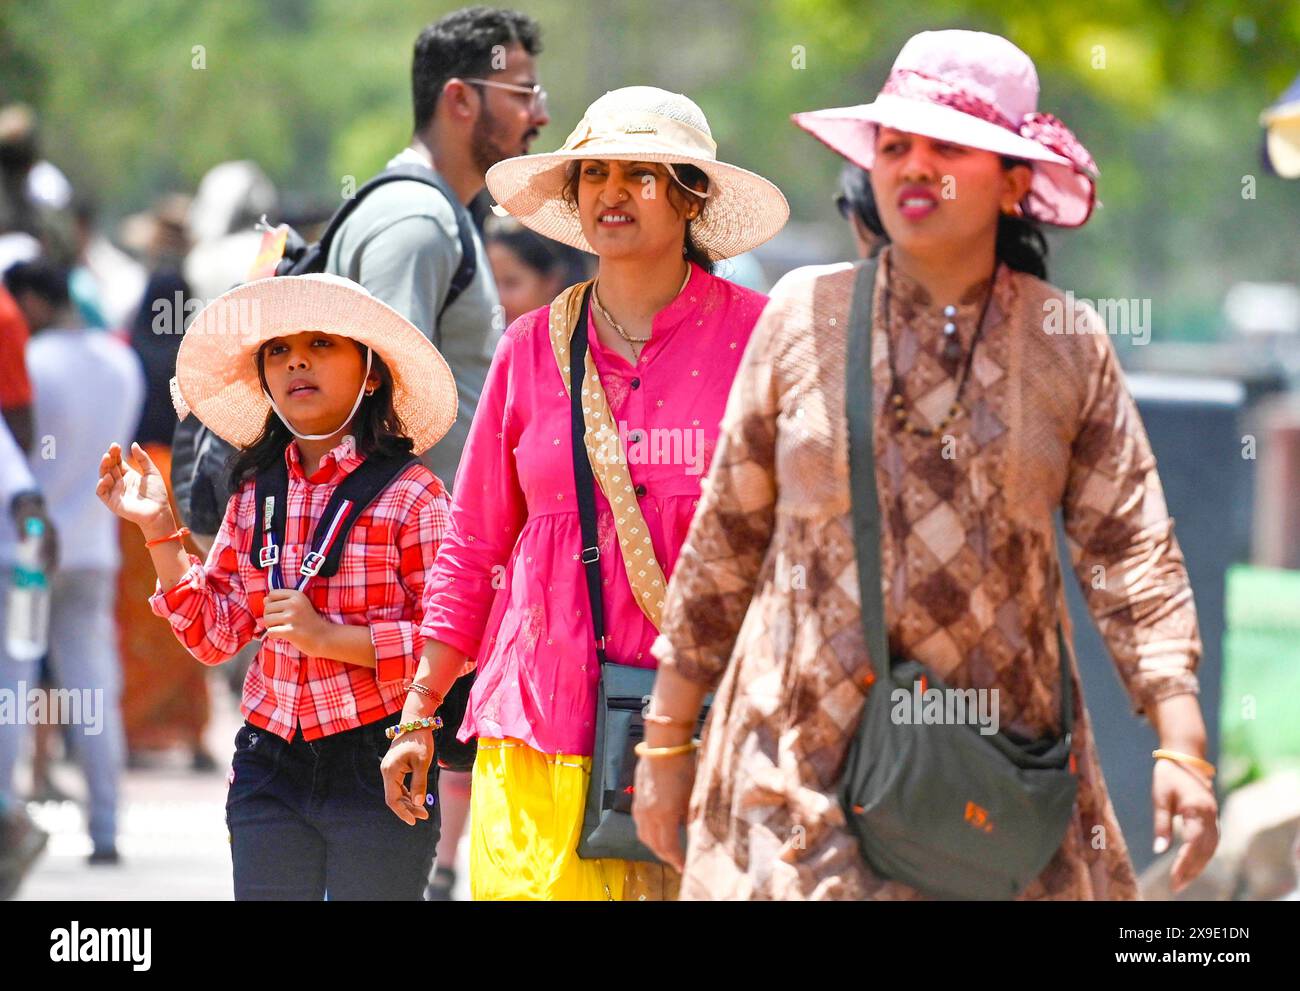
(1165,94)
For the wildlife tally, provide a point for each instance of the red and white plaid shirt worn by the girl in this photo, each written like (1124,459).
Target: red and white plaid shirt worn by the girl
(218,607)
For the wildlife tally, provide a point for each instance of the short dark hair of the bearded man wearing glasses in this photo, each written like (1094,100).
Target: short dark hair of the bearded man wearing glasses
(463,45)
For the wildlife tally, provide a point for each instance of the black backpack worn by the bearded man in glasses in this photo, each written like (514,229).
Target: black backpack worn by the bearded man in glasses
(201,481)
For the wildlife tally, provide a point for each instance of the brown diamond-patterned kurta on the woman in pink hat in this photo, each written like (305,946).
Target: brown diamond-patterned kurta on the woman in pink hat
(764,601)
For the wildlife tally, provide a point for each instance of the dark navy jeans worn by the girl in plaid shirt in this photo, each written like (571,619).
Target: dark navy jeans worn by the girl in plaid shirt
(309,821)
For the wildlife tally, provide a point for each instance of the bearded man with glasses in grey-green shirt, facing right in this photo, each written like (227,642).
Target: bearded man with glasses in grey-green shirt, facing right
(476,102)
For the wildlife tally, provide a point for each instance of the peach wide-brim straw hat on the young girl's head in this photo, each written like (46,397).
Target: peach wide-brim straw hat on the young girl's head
(216,367)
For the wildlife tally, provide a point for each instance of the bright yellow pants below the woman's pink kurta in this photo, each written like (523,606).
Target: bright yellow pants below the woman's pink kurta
(526,816)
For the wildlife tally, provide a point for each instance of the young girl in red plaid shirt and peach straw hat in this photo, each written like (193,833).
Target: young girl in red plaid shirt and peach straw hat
(313,379)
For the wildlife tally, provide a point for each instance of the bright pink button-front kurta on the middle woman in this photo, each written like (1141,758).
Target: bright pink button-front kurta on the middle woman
(508,587)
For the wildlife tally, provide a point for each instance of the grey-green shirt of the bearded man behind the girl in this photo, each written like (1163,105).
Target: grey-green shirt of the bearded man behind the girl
(402,244)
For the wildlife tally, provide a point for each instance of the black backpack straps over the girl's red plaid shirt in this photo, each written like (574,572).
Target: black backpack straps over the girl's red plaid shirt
(346,504)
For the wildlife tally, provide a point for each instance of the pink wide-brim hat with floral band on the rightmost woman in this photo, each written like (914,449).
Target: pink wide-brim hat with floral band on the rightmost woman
(978,90)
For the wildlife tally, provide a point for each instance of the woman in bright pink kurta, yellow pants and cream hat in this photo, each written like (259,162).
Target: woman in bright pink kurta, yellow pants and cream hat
(638,184)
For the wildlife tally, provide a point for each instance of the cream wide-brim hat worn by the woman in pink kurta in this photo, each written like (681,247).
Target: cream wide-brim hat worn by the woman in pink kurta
(643,124)
